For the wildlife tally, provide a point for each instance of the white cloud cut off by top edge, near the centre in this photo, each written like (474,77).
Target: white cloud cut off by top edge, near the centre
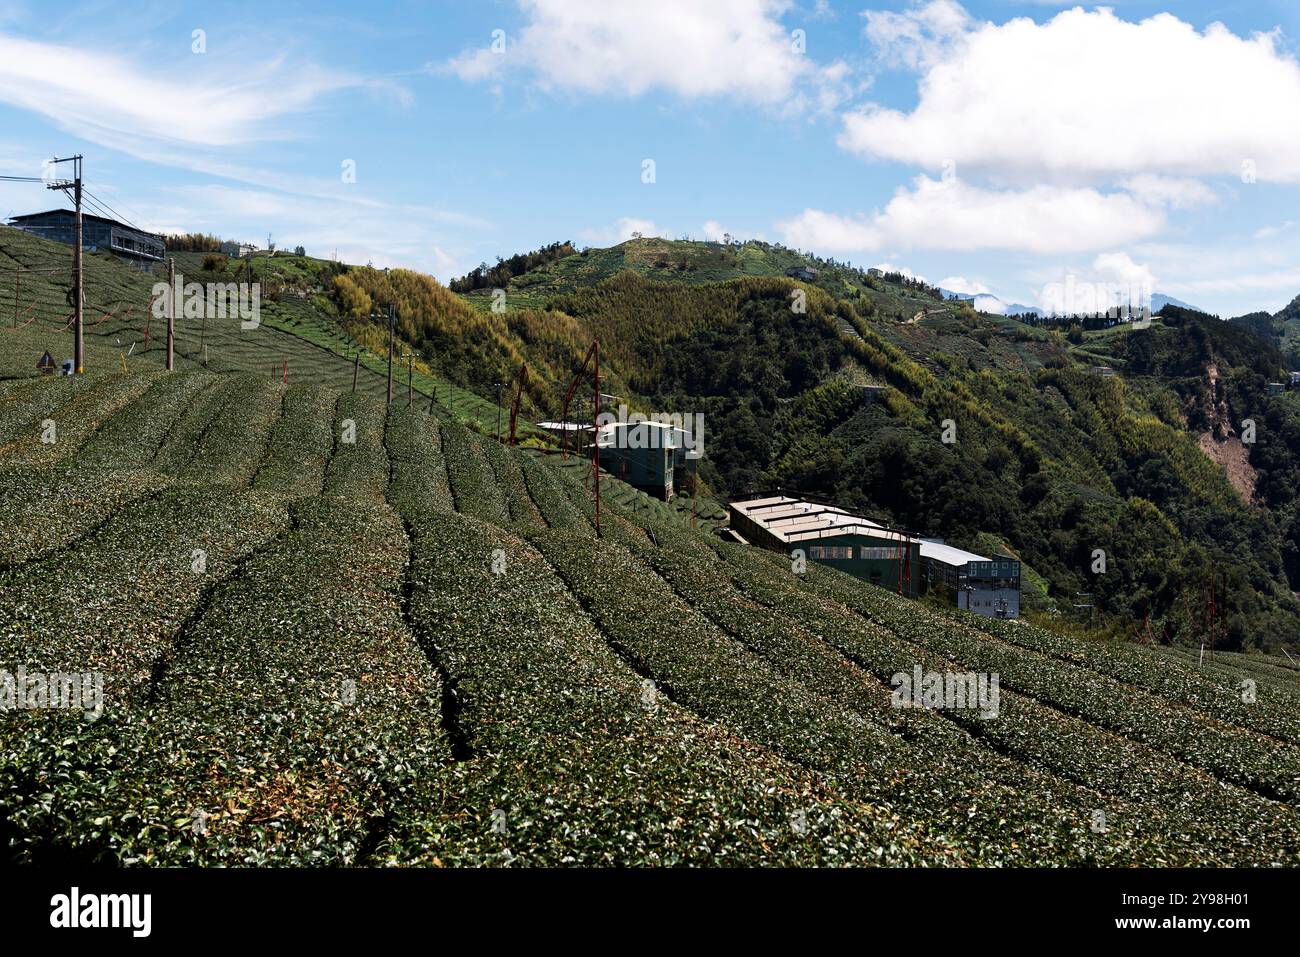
(717,49)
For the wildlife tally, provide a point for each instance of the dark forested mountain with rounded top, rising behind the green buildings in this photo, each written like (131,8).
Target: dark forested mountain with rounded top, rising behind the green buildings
(1052,458)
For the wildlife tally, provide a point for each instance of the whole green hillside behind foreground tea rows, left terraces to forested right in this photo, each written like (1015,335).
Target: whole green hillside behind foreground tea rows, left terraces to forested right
(1046,456)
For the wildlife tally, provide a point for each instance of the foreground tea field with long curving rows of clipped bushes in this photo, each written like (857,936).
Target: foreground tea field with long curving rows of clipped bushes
(333,634)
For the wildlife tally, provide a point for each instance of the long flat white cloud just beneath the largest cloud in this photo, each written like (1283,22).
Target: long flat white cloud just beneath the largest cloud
(954,215)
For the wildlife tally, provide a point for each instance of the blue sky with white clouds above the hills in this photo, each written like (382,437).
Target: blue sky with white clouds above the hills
(987,146)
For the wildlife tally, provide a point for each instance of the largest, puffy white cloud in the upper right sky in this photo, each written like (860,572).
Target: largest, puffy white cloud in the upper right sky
(1085,97)
